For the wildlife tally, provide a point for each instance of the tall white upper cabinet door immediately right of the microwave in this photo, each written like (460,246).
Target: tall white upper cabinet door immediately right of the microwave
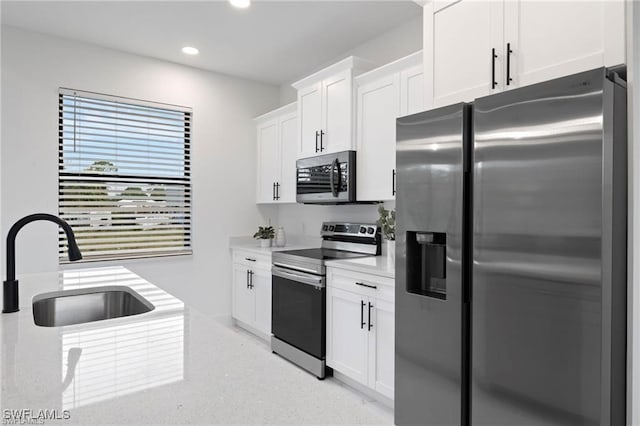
(378,108)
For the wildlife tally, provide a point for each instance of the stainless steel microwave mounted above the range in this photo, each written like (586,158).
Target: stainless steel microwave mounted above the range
(327,178)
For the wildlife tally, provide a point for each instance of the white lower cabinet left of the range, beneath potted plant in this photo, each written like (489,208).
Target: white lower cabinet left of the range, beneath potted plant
(251,292)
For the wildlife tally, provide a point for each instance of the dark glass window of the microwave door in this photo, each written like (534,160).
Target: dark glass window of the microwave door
(317,179)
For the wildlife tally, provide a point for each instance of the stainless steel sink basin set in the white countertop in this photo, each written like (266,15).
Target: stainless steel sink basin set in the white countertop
(68,307)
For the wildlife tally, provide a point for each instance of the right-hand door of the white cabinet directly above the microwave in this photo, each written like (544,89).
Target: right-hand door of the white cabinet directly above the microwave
(337,113)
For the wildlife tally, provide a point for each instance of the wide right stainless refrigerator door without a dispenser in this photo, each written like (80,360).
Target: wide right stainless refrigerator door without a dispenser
(542,284)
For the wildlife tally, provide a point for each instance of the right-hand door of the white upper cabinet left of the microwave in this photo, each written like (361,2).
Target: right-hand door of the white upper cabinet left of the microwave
(289,151)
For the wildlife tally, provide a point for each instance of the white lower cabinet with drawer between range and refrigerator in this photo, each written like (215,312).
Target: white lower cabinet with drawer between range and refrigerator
(360,328)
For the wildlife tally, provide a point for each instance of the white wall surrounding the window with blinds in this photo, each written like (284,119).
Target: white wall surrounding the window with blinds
(34,66)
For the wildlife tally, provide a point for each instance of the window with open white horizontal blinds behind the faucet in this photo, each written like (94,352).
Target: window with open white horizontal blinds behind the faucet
(124,176)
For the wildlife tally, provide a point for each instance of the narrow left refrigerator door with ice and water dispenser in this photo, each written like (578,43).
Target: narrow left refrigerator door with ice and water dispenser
(429,157)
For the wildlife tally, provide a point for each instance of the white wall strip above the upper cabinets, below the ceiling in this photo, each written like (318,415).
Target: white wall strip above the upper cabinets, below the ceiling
(394,44)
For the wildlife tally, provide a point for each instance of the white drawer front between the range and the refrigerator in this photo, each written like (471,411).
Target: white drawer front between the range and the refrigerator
(365,284)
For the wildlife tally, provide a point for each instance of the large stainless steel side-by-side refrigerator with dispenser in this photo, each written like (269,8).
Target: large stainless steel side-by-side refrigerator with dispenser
(511,257)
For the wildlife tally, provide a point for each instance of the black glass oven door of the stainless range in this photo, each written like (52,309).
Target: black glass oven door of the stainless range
(298,310)
